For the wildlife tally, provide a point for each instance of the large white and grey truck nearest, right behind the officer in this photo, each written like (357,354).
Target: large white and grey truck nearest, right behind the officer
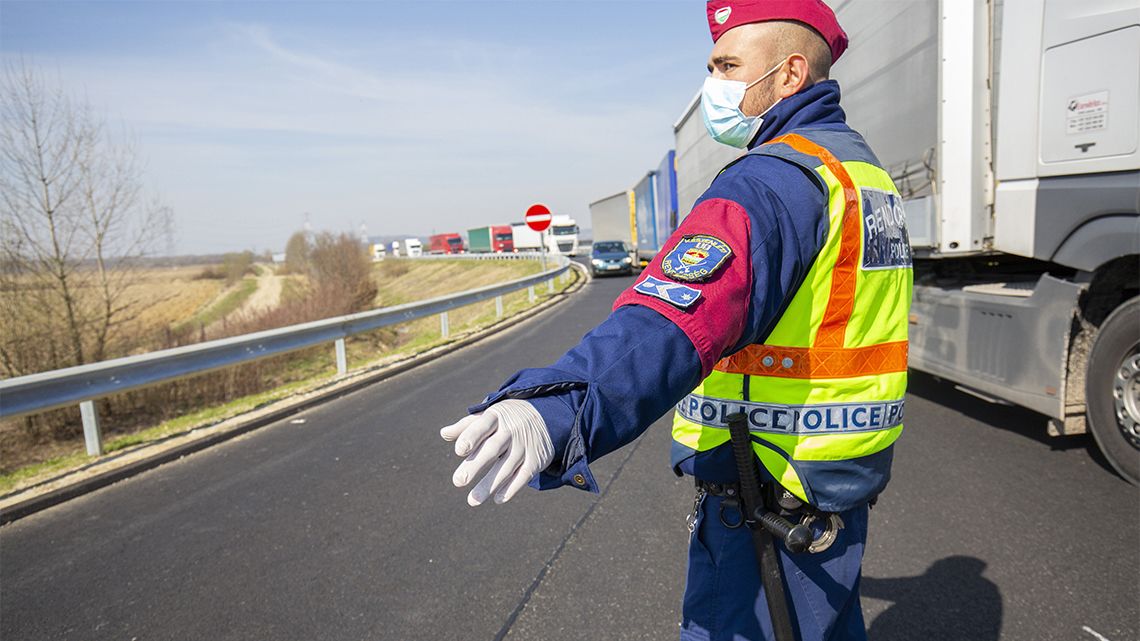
(1011,127)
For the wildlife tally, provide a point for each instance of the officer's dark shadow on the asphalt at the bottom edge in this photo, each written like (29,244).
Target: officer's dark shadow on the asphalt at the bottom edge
(952,602)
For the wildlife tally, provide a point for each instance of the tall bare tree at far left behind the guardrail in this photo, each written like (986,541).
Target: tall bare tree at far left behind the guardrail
(75,224)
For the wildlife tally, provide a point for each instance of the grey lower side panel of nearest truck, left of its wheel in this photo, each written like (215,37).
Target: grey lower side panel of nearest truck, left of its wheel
(1007,342)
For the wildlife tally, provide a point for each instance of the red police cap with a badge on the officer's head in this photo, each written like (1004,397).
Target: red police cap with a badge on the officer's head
(727,14)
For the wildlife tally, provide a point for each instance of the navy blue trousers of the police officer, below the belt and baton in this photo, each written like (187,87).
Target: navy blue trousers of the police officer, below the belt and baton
(724,601)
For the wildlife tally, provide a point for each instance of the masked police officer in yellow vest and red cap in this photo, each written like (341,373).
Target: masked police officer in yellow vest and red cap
(785,296)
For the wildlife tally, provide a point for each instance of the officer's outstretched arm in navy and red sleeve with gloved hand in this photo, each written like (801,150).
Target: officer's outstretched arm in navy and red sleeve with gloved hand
(665,336)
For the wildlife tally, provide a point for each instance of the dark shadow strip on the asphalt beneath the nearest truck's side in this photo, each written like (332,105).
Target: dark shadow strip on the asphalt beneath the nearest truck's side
(1017,420)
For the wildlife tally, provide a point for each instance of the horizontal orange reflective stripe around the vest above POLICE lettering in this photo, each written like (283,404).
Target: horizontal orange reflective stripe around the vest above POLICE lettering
(816,362)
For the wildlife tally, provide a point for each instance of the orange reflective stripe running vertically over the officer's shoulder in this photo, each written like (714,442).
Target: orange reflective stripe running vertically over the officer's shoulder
(842,299)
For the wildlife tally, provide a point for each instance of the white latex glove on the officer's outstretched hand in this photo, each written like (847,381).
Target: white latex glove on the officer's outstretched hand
(509,441)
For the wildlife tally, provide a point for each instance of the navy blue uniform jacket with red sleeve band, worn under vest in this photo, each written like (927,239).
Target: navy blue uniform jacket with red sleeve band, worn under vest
(649,354)
